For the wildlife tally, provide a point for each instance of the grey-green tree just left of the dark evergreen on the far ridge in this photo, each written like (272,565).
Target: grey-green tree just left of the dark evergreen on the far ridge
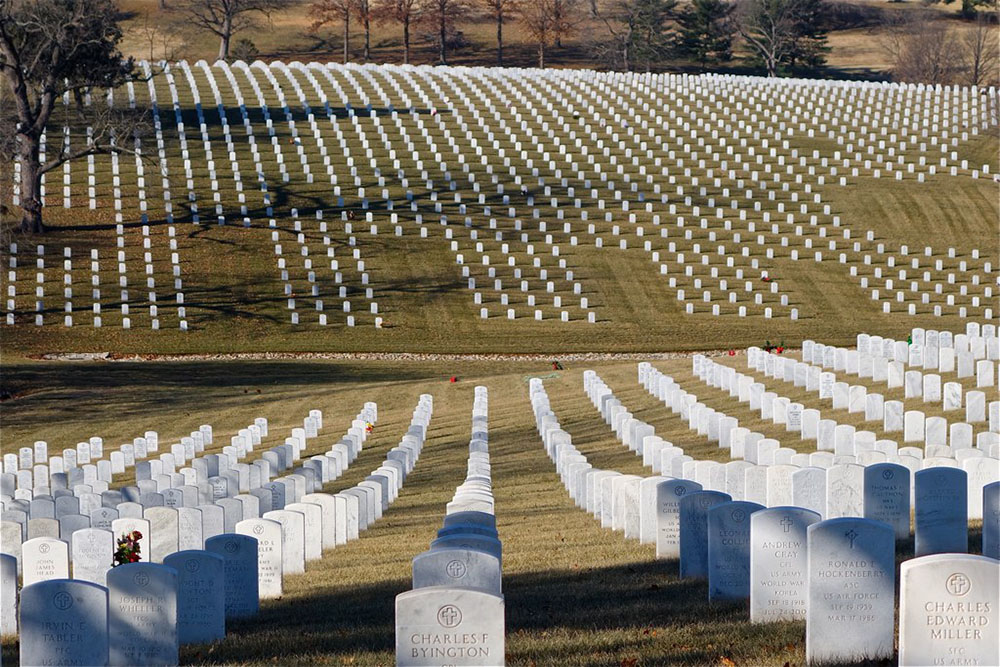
(640,31)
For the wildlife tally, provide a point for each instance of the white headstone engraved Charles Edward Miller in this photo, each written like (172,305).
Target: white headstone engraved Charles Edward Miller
(948,612)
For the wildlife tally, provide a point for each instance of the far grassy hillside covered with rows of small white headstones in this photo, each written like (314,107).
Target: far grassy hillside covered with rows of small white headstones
(487,190)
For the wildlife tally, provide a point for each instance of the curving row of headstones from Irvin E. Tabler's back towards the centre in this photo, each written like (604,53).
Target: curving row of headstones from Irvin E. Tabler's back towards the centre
(279,540)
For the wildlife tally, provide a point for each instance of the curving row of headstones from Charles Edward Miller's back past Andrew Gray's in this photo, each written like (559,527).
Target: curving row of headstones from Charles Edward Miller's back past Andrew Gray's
(790,569)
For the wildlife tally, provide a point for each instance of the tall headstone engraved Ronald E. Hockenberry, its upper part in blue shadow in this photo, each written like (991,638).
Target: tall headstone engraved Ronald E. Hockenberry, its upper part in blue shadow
(850,590)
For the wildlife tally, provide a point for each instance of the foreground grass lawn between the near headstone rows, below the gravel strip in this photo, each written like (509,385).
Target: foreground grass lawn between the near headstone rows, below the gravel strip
(576,594)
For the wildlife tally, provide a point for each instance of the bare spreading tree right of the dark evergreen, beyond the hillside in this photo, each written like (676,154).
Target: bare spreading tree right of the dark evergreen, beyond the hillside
(782,32)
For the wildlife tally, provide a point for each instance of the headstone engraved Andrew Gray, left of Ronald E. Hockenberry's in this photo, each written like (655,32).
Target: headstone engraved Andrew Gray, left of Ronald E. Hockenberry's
(778,563)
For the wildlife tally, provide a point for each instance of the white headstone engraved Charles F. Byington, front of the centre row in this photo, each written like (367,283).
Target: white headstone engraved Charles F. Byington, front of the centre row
(446,625)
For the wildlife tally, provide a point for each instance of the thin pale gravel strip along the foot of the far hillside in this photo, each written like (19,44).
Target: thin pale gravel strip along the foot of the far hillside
(375,356)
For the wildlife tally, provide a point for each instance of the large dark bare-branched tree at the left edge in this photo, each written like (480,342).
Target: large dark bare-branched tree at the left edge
(49,48)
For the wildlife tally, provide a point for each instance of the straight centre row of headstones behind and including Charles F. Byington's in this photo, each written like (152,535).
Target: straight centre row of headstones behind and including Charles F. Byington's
(455,612)
